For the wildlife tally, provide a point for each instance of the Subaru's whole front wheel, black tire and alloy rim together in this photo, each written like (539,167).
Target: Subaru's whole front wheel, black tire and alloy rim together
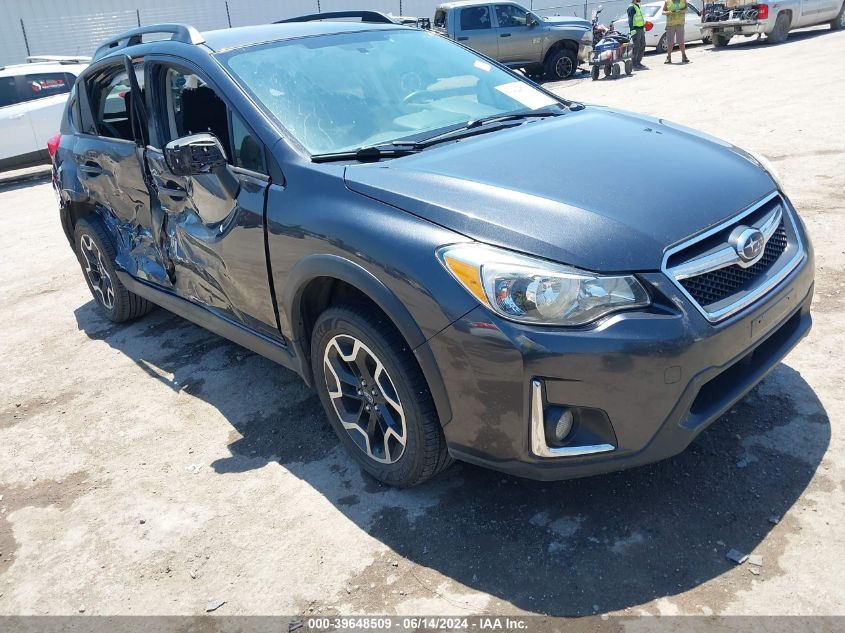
(376,397)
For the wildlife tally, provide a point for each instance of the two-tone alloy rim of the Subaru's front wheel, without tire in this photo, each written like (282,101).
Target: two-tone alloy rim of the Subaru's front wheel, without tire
(365,399)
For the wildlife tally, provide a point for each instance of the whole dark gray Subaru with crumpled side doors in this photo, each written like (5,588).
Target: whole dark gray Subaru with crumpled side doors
(429,240)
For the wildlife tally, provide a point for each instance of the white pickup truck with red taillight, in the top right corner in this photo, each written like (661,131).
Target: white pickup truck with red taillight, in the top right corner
(723,20)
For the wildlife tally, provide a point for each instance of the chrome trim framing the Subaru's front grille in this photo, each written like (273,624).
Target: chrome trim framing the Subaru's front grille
(708,263)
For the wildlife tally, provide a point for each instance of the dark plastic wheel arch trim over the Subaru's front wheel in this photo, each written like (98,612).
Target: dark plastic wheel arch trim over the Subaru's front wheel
(320,281)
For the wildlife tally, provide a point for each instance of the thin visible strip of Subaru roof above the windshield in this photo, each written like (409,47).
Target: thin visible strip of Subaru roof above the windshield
(226,39)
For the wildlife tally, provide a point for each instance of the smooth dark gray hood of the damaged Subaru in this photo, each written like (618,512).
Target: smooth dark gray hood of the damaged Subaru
(597,189)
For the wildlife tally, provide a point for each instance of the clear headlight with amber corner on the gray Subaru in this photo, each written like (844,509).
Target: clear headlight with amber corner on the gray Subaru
(530,290)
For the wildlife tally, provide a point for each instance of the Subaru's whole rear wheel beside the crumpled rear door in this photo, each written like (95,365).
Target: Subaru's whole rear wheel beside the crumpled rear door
(96,255)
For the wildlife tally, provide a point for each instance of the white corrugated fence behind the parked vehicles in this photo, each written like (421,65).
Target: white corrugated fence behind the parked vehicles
(76,27)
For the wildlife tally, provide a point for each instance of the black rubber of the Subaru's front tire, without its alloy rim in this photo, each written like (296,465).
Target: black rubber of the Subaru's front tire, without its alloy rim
(342,320)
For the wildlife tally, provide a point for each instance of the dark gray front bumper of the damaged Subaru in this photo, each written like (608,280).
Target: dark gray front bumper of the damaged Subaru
(661,376)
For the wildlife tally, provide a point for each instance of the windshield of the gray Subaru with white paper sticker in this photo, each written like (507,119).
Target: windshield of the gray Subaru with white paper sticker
(340,92)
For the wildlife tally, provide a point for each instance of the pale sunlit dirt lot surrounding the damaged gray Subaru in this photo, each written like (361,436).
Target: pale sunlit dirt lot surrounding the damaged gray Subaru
(150,468)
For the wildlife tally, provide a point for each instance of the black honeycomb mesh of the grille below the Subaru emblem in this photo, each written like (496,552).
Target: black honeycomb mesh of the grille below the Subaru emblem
(718,285)
